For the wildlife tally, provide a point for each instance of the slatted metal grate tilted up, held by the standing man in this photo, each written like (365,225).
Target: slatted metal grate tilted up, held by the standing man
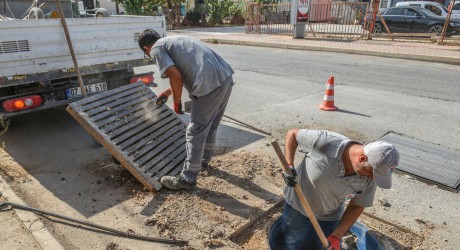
(147,139)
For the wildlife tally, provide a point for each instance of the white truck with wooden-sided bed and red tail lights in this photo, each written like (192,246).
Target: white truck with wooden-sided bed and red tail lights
(36,67)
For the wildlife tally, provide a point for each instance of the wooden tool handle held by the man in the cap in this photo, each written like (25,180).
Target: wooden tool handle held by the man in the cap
(299,193)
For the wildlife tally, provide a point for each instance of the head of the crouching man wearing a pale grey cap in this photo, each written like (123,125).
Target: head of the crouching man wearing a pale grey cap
(383,158)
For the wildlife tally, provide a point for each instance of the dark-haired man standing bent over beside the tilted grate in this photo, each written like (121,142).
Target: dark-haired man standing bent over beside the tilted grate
(190,64)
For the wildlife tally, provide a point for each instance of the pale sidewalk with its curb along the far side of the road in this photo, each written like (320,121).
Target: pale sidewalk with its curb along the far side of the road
(394,49)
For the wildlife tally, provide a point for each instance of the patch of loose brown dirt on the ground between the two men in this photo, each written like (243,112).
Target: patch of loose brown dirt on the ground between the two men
(235,189)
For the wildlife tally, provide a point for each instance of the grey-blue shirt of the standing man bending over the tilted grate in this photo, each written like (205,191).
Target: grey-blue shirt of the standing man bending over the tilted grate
(202,69)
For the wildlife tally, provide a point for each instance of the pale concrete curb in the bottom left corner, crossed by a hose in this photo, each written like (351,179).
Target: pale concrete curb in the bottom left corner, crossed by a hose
(31,221)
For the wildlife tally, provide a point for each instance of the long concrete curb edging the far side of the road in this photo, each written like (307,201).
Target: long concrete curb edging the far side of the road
(416,57)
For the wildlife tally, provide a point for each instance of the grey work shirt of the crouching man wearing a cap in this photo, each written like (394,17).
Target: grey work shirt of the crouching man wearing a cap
(322,176)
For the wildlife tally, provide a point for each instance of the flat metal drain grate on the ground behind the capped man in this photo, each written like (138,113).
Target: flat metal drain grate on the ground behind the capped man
(427,161)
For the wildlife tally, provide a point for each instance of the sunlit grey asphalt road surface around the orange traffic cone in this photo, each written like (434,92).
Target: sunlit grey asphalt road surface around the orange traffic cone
(279,88)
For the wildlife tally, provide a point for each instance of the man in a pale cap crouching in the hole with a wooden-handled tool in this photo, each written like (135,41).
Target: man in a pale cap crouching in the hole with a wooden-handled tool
(334,170)
